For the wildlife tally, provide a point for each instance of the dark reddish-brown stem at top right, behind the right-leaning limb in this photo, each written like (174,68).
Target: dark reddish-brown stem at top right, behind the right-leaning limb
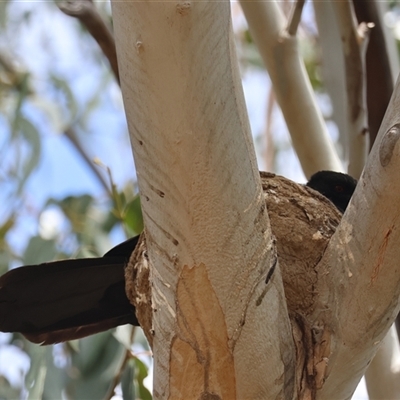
(380,76)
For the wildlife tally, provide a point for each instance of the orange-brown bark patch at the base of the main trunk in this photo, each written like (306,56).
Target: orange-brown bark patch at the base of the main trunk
(201,362)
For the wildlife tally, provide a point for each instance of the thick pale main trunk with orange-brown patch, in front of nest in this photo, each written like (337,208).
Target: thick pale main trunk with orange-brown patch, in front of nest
(207,231)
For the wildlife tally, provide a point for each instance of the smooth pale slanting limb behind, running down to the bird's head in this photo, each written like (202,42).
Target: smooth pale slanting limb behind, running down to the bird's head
(292,87)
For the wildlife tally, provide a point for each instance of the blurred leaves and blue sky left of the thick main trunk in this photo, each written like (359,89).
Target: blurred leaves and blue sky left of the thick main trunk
(47,118)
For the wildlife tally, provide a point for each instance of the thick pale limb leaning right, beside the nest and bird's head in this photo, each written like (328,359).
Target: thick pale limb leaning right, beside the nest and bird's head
(359,276)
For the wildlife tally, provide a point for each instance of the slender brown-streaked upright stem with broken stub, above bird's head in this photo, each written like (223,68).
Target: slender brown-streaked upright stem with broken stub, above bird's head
(354,44)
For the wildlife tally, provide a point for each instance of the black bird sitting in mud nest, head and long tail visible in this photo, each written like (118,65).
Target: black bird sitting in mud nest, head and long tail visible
(71,299)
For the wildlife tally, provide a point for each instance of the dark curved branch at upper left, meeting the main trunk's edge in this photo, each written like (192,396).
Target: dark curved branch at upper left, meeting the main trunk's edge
(88,15)
